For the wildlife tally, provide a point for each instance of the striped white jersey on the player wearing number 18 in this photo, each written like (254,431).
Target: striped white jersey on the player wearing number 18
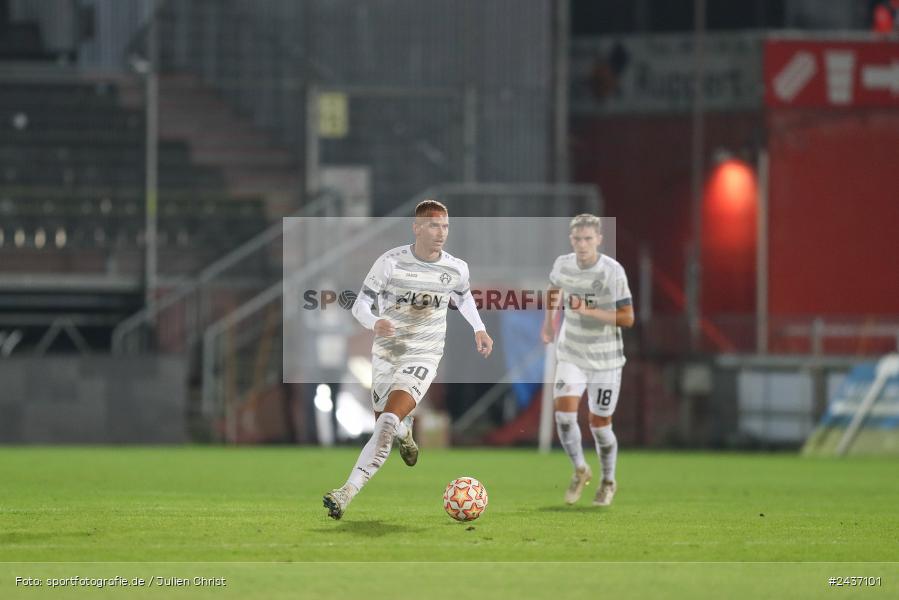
(584,341)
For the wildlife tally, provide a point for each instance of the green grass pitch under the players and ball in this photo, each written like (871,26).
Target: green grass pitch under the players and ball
(682,525)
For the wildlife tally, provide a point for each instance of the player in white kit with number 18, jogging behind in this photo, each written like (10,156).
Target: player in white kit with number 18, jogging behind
(589,353)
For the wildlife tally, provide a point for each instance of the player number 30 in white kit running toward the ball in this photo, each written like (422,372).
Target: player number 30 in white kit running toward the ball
(412,285)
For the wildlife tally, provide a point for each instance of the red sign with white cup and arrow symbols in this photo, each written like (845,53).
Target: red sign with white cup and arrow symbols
(832,74)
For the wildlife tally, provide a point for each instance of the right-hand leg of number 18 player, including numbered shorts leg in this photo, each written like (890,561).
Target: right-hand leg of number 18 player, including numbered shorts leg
(603,398)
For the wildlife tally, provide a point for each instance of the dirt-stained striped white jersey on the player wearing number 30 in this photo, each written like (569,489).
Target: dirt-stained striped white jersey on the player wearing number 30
(414,295)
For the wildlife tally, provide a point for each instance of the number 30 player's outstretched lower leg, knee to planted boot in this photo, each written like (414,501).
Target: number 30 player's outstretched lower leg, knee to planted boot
(374,454)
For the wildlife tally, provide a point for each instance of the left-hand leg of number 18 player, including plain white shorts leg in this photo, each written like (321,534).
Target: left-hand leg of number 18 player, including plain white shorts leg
(569,385)
